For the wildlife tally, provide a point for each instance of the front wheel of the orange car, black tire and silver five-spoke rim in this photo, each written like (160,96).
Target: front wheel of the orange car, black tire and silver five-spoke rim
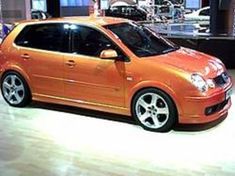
(168,119)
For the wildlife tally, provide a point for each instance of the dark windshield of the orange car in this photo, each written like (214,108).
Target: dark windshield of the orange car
(141,40)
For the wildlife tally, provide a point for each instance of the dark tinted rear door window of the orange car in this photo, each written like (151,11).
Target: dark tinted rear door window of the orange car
(52,37)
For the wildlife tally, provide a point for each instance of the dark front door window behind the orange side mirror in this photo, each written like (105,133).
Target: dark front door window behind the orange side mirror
(90,42)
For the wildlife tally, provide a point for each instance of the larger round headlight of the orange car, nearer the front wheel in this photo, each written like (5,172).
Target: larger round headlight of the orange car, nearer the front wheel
(199,82)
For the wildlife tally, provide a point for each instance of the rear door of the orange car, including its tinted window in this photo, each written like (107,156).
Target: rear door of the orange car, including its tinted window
(42,48)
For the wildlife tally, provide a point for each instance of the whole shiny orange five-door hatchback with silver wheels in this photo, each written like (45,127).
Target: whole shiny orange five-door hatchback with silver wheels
(112,65)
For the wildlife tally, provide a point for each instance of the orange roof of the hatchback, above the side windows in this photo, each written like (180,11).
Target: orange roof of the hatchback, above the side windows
(88,20)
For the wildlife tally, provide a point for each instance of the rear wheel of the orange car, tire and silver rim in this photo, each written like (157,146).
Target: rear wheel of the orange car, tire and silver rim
(15,90)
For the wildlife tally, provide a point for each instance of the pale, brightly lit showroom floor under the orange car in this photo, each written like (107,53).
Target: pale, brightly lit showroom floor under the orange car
(51,140)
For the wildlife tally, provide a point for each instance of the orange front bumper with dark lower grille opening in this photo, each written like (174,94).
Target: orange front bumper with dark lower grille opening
(195,109)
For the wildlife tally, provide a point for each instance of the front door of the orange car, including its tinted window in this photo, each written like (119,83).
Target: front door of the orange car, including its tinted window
(88,77)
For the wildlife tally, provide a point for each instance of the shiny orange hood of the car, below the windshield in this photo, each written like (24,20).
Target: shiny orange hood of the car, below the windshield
(192,61)
